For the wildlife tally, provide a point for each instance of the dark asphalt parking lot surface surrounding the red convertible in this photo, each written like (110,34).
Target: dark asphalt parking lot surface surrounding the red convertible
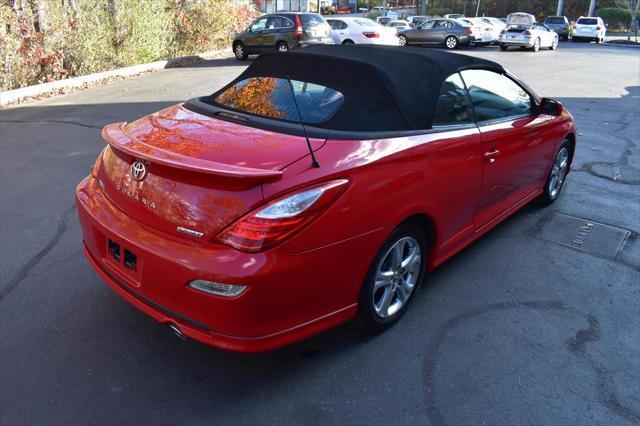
(516,329)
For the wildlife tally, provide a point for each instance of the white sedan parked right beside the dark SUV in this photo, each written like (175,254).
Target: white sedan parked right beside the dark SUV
(352,30)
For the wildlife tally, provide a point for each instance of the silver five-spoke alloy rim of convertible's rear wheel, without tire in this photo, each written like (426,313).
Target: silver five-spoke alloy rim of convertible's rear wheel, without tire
(396,277)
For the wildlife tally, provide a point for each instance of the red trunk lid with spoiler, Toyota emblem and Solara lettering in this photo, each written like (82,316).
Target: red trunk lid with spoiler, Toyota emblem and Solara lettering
(200,173)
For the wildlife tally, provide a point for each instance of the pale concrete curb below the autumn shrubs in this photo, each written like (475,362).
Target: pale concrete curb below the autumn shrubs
(16,96)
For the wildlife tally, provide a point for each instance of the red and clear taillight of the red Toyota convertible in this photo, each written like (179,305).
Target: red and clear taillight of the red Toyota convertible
(273,223)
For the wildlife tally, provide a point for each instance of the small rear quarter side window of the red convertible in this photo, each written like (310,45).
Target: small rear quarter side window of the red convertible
(453,103)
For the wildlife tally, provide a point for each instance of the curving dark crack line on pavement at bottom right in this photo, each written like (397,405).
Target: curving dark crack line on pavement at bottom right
(577,345)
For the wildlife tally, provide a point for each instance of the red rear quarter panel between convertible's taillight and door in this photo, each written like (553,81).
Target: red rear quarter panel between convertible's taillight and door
(437,174)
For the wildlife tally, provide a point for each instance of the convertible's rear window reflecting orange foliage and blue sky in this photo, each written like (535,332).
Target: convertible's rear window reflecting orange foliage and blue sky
(272,97)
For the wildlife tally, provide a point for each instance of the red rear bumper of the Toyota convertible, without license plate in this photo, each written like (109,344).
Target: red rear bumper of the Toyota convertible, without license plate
(290,295)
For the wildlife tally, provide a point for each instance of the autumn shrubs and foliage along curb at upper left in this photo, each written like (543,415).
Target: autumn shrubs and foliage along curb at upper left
(93,36)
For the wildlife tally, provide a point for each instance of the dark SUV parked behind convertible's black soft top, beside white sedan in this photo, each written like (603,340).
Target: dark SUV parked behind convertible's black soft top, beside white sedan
(281,32)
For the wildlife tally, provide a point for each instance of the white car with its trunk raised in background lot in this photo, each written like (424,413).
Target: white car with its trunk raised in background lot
(523,31)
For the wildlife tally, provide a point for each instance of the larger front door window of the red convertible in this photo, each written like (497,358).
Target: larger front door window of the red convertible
(495,96)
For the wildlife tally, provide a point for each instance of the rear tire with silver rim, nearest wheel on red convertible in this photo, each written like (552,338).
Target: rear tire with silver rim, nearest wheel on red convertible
(393,278)
